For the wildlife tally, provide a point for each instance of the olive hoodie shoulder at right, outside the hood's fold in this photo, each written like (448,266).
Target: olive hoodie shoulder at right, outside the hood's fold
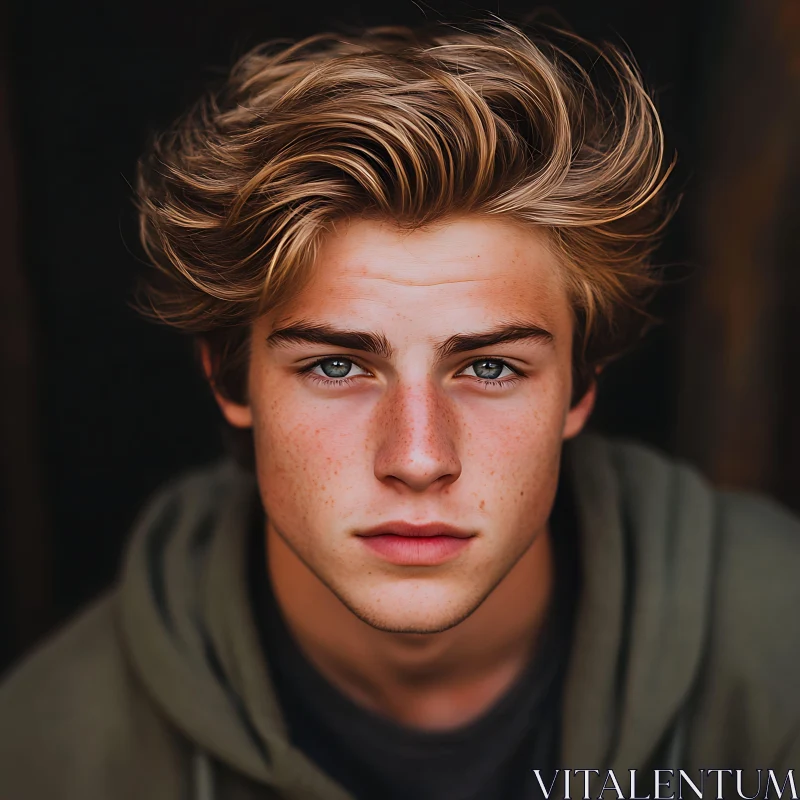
(750,682)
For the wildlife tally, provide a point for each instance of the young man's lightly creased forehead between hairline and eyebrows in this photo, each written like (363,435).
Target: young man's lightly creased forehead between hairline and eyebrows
(469,265)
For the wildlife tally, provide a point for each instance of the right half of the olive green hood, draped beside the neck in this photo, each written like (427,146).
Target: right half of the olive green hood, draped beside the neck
(646,539)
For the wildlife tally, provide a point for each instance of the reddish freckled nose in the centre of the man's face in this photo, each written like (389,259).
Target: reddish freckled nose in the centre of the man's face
(417,433)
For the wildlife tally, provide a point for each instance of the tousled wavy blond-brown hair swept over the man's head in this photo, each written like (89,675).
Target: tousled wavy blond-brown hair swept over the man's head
(412,126)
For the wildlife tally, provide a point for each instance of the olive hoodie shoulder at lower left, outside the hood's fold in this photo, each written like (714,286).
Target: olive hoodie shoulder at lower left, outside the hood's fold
(74,722)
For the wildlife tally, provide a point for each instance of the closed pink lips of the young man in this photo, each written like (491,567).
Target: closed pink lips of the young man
(406,544)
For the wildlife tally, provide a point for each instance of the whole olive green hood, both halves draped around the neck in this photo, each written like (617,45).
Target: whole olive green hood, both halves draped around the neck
(645,551)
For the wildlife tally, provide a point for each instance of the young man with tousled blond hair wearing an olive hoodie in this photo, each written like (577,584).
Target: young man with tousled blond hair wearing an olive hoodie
(406,257)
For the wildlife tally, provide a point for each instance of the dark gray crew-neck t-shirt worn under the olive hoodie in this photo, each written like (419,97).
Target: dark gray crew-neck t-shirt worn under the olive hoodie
(490,758)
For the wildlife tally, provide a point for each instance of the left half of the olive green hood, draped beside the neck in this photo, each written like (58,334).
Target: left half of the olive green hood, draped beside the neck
(190,635)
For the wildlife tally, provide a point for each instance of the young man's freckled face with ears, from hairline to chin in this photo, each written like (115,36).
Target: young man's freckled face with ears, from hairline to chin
(408,410)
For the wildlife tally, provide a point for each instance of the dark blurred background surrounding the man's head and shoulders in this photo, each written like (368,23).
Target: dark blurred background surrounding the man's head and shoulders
(98,406)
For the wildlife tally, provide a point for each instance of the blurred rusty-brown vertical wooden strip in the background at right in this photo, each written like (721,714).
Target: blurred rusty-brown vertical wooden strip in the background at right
(740,386)
